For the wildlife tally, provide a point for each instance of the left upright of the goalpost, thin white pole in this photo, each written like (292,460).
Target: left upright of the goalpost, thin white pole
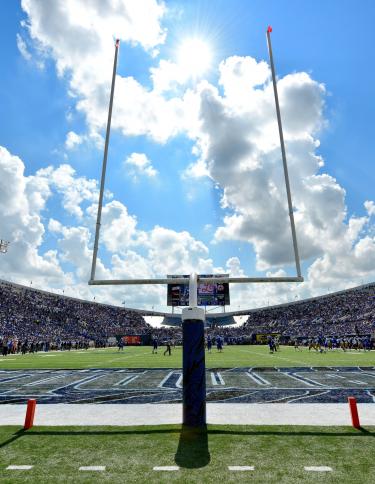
(104,166)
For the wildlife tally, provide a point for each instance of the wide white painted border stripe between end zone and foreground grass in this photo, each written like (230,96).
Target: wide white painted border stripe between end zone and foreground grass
(320,414)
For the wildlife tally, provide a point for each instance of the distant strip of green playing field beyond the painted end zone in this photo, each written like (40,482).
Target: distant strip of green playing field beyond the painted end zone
(141,357)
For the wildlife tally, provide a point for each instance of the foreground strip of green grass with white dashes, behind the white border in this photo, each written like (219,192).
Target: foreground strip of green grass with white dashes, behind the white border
(279,454)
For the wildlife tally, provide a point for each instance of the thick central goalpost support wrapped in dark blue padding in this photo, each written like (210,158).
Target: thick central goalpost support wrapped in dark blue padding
(193,360)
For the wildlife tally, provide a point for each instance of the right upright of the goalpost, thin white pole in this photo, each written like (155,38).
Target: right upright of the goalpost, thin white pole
(283,153)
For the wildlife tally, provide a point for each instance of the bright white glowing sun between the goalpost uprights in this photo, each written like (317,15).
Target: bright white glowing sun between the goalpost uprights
(194,57)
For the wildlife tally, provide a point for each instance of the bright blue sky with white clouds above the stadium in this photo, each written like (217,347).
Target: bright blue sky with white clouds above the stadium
(194,177)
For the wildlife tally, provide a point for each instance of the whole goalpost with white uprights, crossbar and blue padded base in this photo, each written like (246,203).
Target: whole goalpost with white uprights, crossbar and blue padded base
(193,317)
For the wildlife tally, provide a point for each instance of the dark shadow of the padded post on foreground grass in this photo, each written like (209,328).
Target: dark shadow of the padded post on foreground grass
(192,451)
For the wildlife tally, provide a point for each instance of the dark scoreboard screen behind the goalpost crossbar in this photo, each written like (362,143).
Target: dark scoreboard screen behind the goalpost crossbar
(216,294)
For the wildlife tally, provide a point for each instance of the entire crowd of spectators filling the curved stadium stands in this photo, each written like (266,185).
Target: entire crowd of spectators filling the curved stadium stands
(32,320)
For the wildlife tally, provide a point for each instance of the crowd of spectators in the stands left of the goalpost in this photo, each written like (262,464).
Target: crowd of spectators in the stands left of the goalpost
(43,320)
